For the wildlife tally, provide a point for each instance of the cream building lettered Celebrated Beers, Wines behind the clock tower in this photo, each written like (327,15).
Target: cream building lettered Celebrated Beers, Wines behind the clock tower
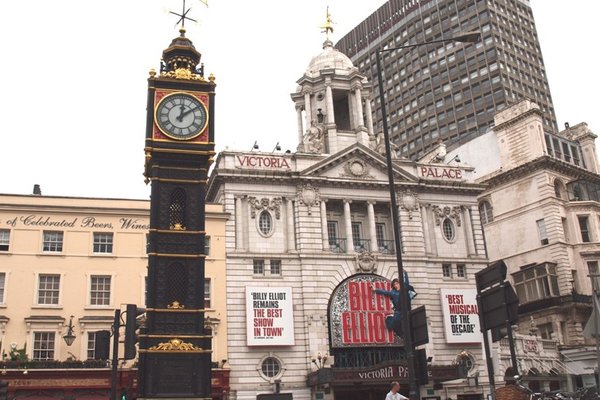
(84,257)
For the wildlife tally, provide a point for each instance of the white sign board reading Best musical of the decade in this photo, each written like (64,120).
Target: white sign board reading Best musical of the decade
(461,315)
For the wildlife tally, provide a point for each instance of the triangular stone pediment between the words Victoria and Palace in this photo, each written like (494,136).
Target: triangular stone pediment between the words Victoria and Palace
(356,163)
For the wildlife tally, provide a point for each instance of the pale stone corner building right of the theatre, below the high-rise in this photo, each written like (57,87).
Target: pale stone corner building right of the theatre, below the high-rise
(541,215)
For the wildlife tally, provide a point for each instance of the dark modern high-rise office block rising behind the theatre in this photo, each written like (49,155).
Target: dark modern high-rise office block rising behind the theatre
(450,91)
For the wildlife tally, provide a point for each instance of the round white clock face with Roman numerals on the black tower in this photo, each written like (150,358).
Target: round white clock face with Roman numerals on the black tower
(181,116)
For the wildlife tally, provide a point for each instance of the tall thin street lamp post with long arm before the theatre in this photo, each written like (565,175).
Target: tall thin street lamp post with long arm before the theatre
(470,37)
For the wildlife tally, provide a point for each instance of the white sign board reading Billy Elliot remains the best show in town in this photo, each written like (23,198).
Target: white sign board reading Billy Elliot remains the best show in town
(269,316)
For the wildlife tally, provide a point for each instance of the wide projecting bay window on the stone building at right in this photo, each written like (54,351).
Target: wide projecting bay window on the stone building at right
(536,282)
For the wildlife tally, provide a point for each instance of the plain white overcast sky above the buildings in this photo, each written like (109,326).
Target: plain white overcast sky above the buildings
(73,79)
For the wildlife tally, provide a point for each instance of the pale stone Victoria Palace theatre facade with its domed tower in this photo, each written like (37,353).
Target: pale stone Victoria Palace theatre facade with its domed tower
(310,238)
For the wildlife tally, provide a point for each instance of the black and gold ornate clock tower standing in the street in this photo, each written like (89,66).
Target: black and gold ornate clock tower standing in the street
(175,352)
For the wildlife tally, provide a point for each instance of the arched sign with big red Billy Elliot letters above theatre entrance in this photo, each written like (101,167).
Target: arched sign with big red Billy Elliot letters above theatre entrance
(357,315)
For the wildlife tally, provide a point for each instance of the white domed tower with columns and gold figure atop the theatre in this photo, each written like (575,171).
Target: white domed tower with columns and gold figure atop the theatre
(332,102)
